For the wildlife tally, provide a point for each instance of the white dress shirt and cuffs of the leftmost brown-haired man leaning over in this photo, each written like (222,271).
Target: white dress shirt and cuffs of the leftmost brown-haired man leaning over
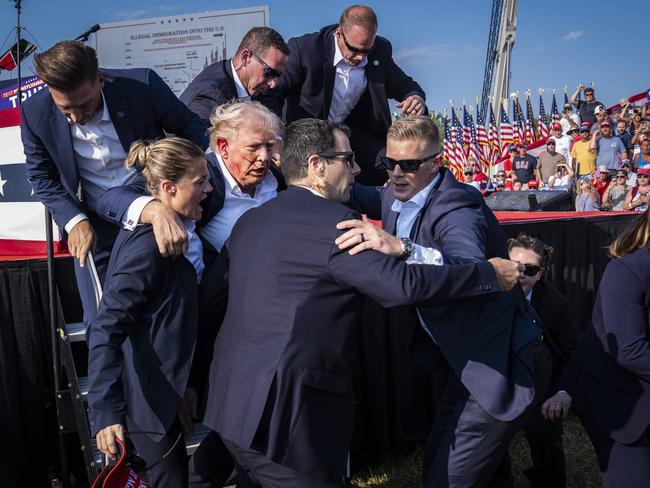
(100,161)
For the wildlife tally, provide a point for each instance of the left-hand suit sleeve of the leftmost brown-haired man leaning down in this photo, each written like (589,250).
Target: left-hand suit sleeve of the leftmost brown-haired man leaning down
(44,176)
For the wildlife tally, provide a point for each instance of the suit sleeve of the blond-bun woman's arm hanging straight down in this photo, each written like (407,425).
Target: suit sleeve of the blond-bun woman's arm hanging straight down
(136,272)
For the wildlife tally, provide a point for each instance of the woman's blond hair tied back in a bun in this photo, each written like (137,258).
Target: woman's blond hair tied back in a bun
(164,159)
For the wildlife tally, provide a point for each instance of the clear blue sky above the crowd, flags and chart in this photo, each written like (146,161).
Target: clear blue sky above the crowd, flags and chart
(440,44)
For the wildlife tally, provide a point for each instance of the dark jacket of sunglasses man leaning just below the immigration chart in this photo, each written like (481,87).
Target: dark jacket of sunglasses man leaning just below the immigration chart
(212,87)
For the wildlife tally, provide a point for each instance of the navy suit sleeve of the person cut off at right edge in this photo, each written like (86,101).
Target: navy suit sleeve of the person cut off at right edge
(623,296)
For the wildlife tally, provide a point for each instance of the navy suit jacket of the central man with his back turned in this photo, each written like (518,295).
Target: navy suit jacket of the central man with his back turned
(286,341)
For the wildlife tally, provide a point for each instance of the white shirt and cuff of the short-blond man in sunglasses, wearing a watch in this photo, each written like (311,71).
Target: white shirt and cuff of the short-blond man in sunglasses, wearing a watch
(408,214)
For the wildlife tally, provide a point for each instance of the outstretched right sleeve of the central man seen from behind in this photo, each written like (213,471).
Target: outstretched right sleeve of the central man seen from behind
(392,282)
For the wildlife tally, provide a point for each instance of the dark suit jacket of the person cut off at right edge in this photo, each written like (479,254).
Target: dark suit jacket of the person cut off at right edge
(608,376)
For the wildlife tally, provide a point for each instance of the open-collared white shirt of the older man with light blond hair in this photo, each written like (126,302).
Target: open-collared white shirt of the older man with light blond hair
(235,203)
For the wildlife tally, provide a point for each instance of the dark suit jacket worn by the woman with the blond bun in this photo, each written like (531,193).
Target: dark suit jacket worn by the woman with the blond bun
(142,339)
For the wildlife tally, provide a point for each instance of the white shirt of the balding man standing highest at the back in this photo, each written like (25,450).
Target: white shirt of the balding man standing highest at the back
(349,84)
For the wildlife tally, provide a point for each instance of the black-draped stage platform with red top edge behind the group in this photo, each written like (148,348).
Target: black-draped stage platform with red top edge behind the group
(394,400)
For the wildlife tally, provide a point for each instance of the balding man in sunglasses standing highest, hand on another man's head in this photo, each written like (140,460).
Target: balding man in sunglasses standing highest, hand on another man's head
(345,73)
